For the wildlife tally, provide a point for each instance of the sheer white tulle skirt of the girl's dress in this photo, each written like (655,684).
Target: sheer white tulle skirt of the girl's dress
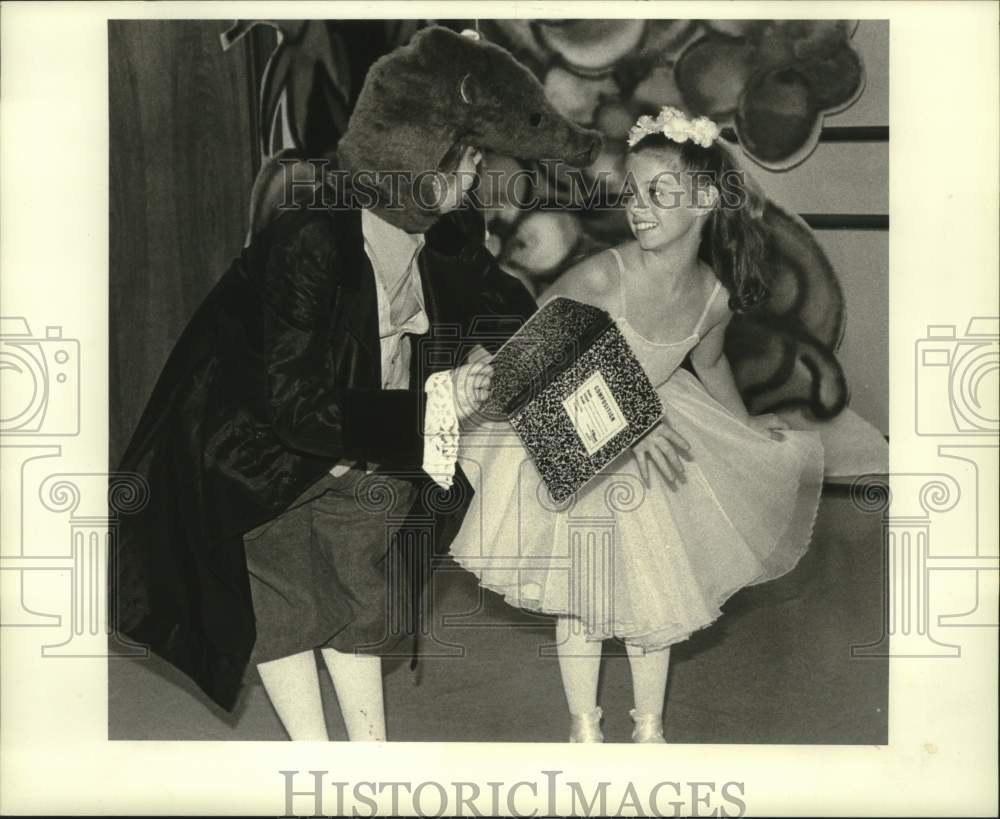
(649,565)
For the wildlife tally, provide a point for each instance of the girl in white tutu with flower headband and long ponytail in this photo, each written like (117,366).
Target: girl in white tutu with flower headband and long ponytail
(650,549)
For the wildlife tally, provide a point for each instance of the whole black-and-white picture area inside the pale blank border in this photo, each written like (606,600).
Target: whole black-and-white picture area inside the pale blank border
(516,380)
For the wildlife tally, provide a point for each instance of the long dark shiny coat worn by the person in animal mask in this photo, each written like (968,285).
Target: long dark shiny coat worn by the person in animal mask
(275,379)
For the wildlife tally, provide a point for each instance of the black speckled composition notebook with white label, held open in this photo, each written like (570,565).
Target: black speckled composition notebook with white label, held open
(574,392)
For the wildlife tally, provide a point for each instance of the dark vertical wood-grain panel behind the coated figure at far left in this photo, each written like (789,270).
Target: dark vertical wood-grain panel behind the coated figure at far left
(181,164)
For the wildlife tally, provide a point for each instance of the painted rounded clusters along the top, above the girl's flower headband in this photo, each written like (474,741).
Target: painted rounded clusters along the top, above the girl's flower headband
(773,80)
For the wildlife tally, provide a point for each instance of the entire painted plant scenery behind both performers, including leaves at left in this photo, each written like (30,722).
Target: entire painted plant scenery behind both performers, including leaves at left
(771,82)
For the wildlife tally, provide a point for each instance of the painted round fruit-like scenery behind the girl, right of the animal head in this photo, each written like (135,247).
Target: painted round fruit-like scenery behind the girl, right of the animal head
(772,82)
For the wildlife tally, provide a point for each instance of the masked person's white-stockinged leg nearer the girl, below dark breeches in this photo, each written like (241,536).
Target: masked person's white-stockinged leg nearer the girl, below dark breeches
(357,679)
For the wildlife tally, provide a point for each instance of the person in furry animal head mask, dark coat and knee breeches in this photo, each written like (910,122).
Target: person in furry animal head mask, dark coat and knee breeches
(306,405)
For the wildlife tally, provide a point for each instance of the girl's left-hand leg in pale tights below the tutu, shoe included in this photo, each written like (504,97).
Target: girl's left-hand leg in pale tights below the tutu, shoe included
(580,666)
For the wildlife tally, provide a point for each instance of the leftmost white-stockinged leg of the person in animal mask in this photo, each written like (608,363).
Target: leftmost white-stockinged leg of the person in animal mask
(292,685)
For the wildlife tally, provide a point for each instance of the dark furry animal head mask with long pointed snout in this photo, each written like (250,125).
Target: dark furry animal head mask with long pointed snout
(444,90)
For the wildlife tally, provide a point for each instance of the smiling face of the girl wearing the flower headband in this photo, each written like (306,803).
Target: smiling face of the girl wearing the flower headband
(660,205)
